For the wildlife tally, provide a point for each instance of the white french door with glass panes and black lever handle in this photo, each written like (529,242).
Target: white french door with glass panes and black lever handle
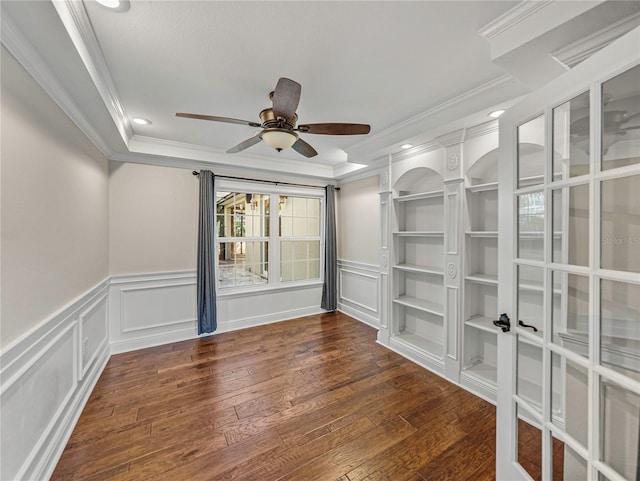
(569,356)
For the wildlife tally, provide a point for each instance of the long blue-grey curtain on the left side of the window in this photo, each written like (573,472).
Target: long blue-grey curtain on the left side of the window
(206,283)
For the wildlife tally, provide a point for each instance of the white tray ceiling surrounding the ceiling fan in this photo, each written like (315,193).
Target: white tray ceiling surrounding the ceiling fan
(391,64)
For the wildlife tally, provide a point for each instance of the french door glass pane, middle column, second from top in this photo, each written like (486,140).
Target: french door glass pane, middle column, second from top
(571,225)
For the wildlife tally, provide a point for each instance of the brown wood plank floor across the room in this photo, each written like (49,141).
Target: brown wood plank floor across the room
(309,399)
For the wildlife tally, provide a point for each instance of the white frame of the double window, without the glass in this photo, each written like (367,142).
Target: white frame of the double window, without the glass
(274,191)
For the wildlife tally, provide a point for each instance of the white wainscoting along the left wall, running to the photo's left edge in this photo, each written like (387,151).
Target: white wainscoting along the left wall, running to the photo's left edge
(43,390)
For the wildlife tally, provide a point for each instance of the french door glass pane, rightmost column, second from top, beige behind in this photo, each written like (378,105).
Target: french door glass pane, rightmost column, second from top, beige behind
(620,224)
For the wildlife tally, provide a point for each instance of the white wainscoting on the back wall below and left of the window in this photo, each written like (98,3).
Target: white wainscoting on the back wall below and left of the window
(153,309)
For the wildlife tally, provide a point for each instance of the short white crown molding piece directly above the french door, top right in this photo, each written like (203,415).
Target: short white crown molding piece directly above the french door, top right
(576,52)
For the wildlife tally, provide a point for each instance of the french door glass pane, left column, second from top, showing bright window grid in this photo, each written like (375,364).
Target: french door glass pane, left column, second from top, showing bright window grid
(531,226)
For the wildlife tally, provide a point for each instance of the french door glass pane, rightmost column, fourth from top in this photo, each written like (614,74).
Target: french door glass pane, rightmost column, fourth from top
(620,415)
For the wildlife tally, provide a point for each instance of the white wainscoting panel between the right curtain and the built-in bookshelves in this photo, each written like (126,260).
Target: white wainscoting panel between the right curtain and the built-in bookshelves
(359,290)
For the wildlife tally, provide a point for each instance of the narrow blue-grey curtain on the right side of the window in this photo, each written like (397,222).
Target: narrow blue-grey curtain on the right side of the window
(330,287)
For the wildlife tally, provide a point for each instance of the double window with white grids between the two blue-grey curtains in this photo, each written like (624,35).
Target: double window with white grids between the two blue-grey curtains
(258,247)
